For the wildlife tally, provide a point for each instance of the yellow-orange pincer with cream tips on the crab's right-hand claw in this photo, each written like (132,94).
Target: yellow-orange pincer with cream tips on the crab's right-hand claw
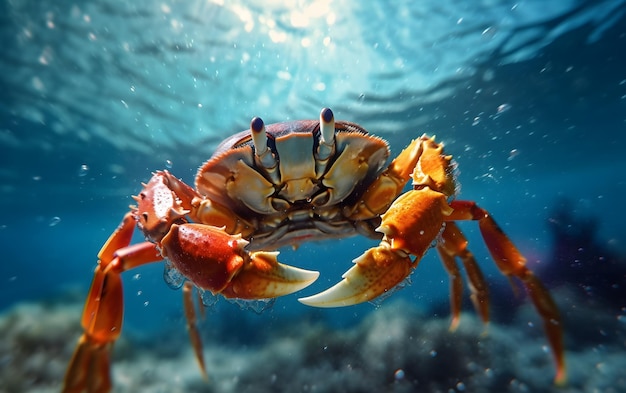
(375,272)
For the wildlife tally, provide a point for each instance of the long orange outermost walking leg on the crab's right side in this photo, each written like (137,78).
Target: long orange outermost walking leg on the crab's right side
(511,263)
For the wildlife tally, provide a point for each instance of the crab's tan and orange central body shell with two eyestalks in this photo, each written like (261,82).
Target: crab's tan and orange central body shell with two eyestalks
(296,181)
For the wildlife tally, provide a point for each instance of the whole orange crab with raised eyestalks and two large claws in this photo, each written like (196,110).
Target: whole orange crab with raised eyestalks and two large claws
(284,184)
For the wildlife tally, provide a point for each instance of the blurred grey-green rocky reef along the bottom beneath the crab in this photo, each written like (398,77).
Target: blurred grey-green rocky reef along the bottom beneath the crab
(394,349)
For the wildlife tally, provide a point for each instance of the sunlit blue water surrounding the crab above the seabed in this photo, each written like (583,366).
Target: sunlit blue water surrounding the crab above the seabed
(529,98)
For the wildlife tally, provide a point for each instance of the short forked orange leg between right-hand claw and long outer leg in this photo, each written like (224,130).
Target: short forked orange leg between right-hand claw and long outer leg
(454,244)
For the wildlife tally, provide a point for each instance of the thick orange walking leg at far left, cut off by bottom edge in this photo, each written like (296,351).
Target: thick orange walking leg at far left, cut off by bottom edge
(102,316)
